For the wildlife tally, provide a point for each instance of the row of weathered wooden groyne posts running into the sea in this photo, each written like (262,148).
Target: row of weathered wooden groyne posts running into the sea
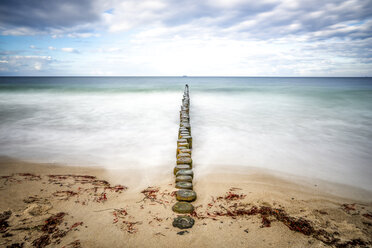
(183,170)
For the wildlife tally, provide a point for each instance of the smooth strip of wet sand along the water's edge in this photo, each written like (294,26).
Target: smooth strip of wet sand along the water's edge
(160,175)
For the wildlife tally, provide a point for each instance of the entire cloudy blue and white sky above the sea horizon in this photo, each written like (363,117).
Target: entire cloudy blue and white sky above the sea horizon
(193,37)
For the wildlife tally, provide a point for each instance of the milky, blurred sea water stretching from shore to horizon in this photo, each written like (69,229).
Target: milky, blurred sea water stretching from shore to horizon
(314,127)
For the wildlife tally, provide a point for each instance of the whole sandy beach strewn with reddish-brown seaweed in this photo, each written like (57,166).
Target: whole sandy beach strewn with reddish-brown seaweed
(62,206)
